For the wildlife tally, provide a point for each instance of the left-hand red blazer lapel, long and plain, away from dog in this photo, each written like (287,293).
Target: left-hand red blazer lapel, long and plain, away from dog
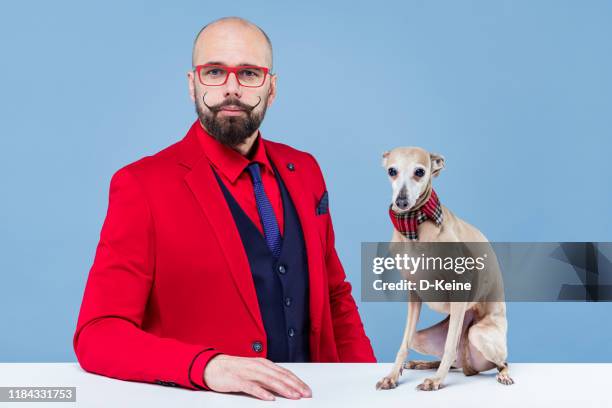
(204,186)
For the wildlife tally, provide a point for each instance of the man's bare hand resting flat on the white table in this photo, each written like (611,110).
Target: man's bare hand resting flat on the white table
(258,377)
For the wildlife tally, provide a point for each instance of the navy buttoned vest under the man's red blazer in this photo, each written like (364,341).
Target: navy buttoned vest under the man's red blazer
(281,284)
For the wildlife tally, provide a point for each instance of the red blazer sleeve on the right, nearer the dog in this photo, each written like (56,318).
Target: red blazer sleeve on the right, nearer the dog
(351,341)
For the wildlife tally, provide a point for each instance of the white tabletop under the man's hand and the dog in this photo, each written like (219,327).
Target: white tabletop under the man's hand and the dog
(337,385)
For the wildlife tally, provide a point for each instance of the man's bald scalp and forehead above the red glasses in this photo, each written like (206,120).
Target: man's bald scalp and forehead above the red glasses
(232,41)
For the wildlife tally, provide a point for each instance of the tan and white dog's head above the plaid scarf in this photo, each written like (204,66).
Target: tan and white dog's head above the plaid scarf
(410,170)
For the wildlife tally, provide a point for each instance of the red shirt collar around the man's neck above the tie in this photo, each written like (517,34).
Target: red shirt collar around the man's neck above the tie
(227,160)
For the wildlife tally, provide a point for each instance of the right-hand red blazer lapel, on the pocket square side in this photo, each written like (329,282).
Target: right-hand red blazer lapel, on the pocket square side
(295,181)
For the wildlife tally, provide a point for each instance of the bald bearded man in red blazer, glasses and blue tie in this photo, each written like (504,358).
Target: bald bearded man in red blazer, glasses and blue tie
(217,255)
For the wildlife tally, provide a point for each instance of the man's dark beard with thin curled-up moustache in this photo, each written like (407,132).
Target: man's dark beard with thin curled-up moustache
(231,130)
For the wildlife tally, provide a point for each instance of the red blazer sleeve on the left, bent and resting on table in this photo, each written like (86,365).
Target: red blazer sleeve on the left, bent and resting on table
(109,339)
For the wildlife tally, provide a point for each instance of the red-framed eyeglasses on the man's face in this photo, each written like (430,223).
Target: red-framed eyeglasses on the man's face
(250,76)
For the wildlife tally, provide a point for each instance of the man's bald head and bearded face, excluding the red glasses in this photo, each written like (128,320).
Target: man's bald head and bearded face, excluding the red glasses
(231,112)
